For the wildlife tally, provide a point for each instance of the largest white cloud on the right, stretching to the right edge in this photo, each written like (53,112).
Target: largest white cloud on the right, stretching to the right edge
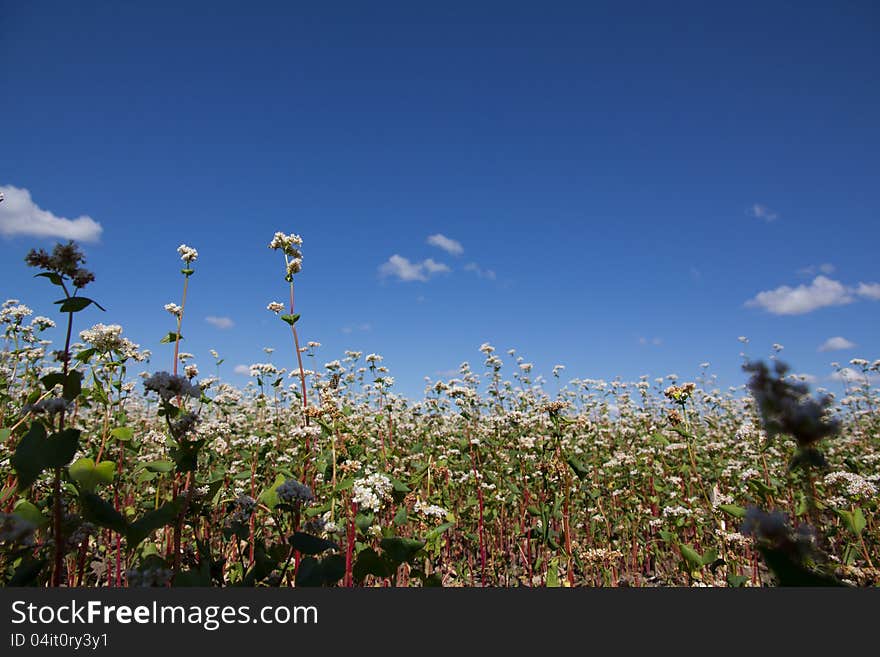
(821,293)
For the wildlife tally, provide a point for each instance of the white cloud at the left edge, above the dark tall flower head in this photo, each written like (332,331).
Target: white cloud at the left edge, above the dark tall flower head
(19,215)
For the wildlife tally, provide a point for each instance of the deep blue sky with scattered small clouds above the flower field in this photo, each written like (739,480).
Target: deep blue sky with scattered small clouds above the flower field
(622,178)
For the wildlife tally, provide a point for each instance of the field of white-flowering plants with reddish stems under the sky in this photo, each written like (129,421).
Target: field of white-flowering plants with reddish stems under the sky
(328,478)
